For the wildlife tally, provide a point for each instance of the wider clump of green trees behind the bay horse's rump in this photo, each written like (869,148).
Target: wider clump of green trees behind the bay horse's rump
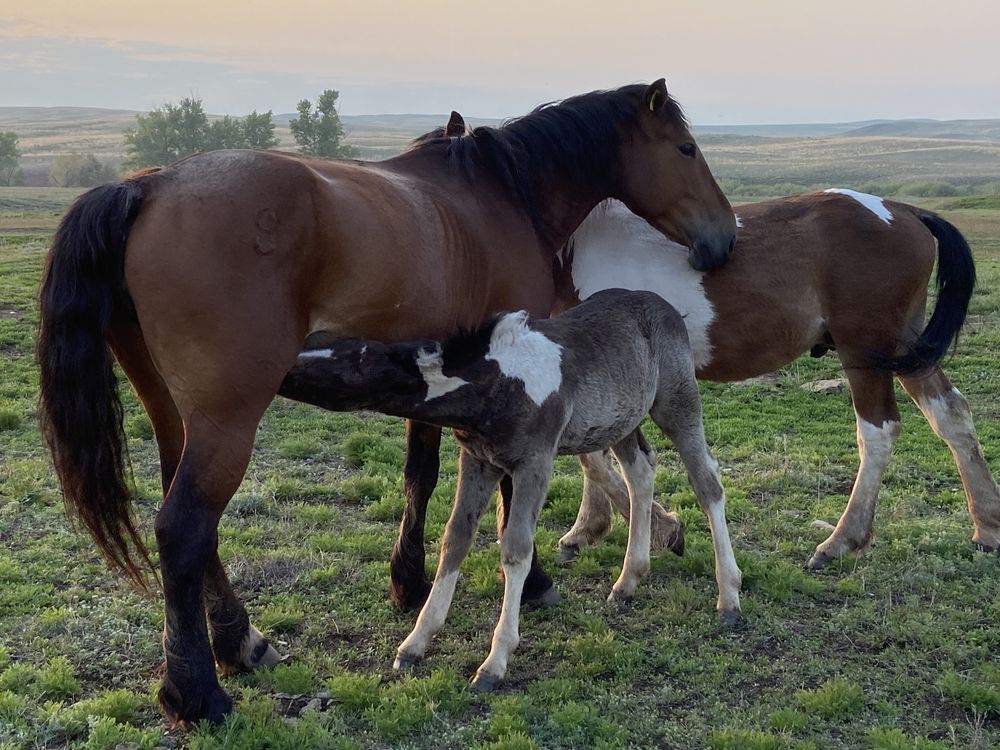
(173,131)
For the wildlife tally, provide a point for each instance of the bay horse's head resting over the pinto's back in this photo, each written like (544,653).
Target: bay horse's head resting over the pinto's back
(665,180)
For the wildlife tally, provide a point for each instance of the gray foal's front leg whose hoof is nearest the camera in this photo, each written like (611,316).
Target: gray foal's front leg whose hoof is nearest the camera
(531,482)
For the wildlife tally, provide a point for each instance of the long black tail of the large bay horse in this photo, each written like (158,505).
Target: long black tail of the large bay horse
(80,412)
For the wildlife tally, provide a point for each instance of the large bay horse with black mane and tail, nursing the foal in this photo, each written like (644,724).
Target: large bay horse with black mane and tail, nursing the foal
(168,271)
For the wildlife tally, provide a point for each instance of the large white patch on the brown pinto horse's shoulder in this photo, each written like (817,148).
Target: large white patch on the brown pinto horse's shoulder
(614,248)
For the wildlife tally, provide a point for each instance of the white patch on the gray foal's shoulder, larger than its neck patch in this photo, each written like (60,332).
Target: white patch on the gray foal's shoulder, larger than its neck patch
(526,355)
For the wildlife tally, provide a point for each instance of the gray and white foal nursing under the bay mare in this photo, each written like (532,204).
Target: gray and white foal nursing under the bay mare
(518,392)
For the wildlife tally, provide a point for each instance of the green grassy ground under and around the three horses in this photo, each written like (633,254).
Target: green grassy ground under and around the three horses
(891,651)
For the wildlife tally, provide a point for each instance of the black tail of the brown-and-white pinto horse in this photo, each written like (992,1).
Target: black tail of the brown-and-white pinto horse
(956,278)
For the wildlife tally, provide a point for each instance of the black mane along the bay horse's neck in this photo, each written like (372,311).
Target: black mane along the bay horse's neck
(577,138)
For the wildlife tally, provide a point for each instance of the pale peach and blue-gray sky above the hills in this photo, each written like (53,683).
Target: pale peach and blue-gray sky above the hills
(726,61)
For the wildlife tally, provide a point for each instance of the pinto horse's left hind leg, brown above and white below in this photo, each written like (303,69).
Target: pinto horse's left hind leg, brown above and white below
(878,428)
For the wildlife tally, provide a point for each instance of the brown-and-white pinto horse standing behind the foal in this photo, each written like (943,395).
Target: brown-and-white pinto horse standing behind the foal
(835,270)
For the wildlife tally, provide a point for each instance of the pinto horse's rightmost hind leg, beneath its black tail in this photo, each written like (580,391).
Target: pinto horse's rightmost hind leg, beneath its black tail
(948,413)
